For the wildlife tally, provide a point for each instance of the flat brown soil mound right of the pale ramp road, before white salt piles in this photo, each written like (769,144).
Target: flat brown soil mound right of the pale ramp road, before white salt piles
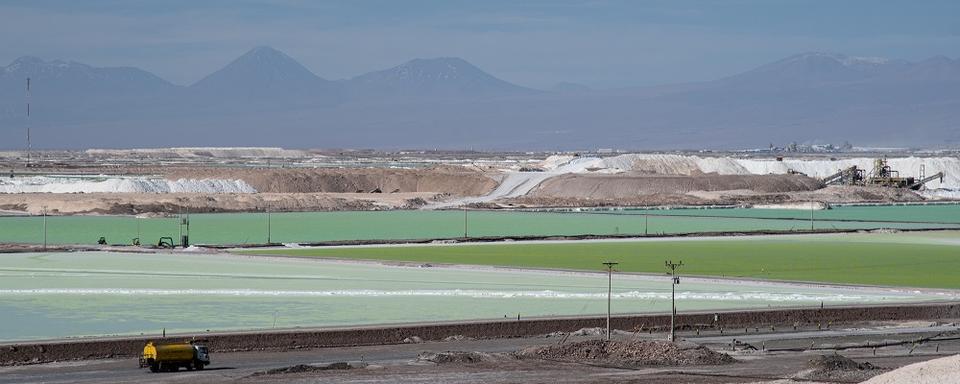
(632,185)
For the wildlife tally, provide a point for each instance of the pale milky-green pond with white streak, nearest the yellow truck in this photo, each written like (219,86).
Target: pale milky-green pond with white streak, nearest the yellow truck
(51,295)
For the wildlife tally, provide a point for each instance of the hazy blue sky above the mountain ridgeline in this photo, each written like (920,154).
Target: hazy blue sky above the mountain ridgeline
(534,43)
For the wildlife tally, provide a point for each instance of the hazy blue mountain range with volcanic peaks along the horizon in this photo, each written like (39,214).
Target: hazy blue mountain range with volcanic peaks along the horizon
(267,98)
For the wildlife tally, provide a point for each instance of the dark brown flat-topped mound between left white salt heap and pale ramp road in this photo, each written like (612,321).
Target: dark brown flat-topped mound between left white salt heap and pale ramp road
(458,181)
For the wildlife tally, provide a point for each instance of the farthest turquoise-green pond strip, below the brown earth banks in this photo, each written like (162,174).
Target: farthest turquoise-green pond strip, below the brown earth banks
(252,228)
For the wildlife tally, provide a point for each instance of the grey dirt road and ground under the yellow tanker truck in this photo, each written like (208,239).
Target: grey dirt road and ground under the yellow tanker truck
(395,363)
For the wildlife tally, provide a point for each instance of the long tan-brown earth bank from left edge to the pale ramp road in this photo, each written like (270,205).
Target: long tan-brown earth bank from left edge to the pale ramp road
(282,189)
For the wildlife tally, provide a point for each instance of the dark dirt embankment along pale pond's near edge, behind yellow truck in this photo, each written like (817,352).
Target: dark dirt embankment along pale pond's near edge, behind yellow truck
(28,353)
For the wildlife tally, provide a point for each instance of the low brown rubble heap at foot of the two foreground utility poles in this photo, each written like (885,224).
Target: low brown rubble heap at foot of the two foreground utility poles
(629,353)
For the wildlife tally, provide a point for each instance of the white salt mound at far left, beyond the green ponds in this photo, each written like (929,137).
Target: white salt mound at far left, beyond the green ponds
(104,184)
